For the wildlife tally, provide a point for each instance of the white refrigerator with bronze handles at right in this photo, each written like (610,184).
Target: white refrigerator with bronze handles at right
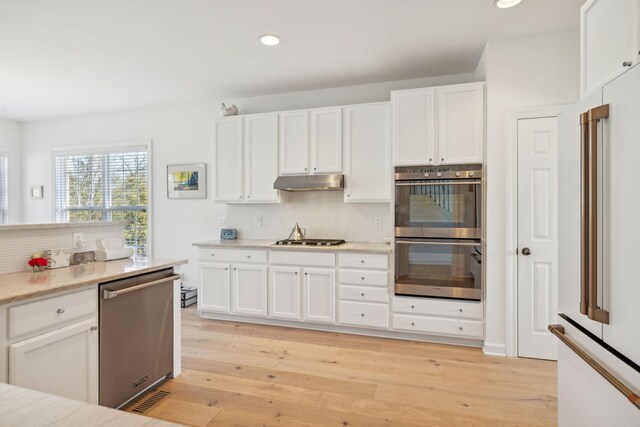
(599,257)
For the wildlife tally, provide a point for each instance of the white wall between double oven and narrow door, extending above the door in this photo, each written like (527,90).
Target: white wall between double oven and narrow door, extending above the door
(524,72)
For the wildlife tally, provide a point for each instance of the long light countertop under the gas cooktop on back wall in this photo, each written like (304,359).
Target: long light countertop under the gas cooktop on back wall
(381,248)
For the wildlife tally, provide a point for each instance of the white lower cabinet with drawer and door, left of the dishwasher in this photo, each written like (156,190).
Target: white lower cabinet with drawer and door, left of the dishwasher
(50,344)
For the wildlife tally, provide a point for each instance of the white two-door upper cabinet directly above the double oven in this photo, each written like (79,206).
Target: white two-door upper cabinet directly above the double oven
(440,125)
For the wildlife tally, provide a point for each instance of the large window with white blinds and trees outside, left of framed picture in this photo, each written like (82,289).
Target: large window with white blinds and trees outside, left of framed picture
(105,185)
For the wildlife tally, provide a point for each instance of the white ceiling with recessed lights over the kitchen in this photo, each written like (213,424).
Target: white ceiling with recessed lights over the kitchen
(65,57)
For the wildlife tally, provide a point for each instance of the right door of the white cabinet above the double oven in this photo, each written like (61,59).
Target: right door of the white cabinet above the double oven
(460,123)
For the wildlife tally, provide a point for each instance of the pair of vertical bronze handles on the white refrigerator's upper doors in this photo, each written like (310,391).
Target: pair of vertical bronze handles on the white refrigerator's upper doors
(591,227)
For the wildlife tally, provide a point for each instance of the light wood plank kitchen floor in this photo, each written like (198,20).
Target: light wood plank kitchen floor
(238,374)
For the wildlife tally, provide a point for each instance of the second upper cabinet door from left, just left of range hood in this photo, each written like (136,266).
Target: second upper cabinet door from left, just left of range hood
(261,157)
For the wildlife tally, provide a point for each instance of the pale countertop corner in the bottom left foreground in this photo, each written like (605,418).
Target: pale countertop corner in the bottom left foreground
(24,407)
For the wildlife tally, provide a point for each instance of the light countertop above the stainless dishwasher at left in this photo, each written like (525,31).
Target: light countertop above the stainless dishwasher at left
(25,284)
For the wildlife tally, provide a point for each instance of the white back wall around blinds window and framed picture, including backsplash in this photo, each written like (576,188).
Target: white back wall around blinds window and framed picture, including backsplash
(182,134)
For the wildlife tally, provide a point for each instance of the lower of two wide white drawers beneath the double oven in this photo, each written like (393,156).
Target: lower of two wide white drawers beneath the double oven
(438,326)
